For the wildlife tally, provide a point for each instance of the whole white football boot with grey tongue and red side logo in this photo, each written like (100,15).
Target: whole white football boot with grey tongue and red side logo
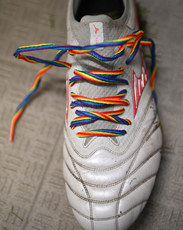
(109,178)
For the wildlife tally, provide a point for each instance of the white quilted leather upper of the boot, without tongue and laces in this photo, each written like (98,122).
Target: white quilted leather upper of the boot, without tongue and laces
(108,182)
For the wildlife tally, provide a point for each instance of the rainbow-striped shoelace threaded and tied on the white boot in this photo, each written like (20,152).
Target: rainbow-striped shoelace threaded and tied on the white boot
(103,77)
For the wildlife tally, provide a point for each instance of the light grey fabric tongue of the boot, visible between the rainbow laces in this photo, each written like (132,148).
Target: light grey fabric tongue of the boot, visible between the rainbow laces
(97,29)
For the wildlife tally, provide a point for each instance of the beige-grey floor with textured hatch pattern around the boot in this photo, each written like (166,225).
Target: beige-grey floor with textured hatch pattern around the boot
(32,193)
